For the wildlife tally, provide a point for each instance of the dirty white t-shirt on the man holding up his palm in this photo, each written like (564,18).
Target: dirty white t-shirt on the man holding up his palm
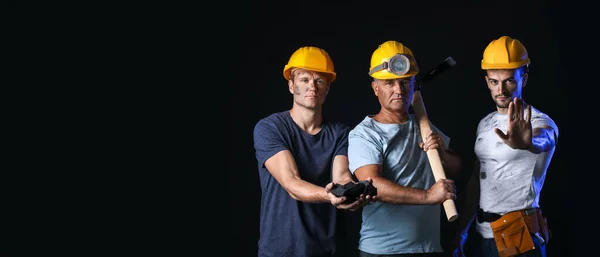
(510,179)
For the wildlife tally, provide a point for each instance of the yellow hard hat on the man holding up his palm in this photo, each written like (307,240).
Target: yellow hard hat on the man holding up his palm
(504,53)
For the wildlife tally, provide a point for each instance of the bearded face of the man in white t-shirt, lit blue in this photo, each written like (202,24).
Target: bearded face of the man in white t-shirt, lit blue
(505,85)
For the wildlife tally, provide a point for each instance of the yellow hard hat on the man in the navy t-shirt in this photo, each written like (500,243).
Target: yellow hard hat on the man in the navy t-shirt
(310,58)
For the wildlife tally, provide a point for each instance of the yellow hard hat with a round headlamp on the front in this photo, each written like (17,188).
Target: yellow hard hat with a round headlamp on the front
(392,60)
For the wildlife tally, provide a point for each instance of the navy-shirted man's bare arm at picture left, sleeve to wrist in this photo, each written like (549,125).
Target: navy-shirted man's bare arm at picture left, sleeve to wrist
(282,167)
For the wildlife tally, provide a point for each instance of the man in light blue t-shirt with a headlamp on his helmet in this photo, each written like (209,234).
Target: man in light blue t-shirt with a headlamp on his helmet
(388,148)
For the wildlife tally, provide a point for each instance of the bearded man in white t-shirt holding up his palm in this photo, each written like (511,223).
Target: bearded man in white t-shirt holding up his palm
(514,146)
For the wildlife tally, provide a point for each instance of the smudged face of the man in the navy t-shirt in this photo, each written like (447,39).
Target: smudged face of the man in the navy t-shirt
(309,88)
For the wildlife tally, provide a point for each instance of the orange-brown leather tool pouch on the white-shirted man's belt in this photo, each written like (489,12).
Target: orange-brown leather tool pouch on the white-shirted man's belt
(512,234)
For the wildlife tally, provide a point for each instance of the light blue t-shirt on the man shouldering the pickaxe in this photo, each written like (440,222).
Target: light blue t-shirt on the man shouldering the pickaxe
(388,228)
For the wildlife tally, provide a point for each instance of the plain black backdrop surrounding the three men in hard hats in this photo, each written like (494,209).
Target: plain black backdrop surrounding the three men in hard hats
(141,142)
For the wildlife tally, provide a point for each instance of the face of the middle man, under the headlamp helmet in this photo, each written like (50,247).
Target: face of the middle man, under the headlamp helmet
(394,94)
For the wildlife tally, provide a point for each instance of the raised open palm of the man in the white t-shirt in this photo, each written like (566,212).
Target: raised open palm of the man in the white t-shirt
(519,132)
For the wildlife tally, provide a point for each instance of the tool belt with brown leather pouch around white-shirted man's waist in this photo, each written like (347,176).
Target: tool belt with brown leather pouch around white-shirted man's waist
(513,231)
